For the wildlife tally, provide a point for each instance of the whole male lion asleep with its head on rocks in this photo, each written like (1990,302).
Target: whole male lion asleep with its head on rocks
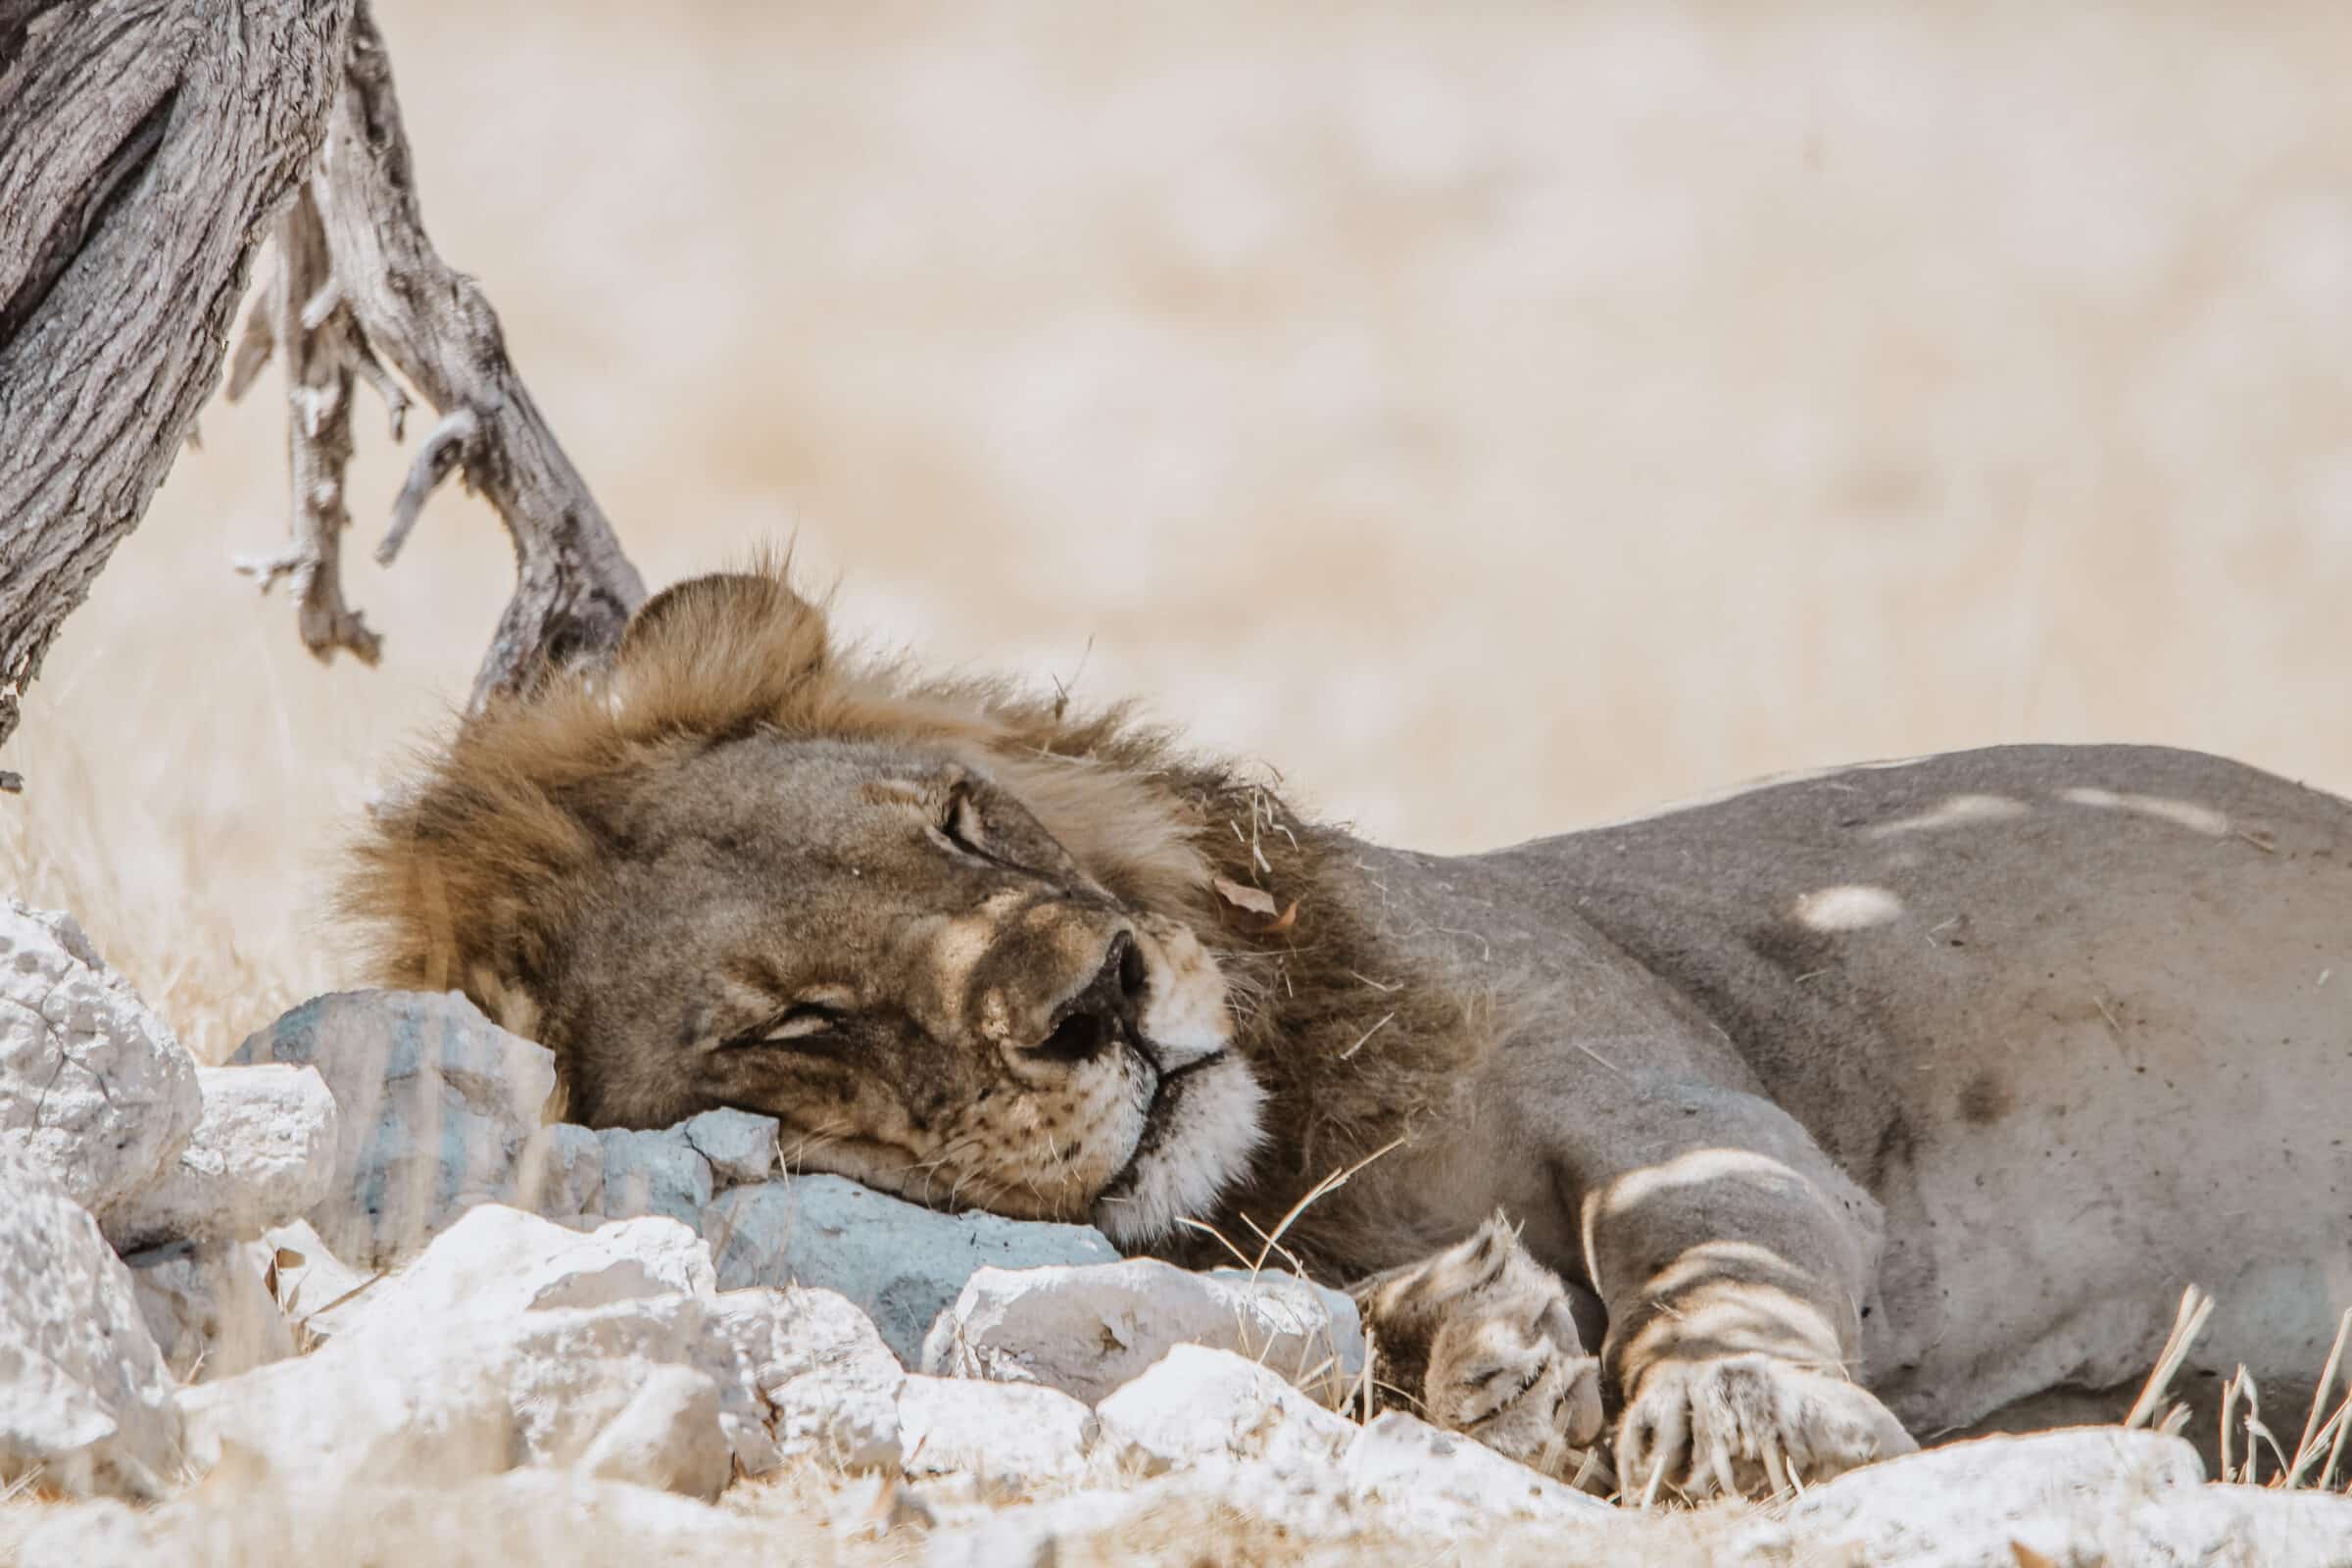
(1742,1144)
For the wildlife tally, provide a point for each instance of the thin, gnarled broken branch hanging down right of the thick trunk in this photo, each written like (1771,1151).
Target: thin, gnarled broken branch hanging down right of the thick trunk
(387,290)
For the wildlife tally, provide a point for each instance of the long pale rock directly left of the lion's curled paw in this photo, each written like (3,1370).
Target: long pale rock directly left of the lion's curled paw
(1090,1329)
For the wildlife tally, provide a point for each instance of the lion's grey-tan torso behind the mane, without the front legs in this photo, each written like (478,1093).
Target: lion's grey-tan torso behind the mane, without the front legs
(2071,1017)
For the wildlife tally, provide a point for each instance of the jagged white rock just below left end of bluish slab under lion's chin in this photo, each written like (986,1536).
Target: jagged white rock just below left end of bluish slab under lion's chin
(827,1376)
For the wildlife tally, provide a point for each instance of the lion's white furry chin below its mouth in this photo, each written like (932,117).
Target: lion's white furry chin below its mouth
(1205,1127)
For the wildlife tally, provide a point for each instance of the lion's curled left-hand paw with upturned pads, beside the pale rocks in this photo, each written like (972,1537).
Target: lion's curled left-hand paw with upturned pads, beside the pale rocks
(1499,1353)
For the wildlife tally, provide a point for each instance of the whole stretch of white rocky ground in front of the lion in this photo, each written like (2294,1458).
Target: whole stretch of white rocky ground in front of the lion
(356,1299)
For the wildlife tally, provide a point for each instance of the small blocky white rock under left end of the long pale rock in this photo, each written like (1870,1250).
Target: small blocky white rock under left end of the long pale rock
(1003,1435)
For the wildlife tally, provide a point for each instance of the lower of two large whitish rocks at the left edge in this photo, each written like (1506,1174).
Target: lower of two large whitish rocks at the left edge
(83,1388)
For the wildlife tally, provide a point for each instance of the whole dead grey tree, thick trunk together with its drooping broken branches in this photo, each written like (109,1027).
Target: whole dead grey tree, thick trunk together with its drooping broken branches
(145,152)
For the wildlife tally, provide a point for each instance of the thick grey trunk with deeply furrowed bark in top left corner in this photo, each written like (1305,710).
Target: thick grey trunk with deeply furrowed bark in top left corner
(142,149)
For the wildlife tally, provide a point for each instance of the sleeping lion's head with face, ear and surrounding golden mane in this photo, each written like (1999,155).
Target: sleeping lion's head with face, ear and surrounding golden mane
(947,937)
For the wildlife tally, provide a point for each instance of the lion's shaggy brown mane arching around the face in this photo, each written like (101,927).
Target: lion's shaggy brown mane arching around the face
(469,878)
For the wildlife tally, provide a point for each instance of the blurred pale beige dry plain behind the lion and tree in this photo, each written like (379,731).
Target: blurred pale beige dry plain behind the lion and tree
(1492,417)
